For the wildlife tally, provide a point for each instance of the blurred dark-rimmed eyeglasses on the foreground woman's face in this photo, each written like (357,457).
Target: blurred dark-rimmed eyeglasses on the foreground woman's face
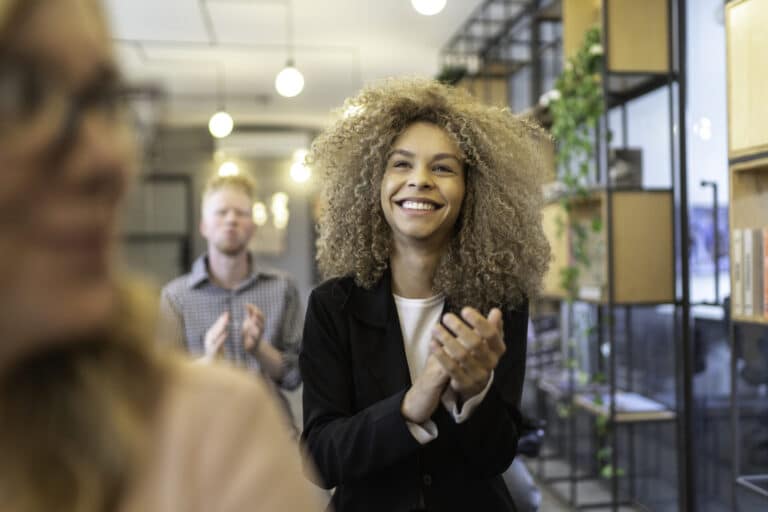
(34,101)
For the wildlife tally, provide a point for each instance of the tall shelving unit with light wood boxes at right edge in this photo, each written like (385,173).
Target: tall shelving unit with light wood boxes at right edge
(747,53)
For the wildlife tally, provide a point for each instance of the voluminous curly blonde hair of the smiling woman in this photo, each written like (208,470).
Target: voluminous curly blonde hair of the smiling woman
(498,253)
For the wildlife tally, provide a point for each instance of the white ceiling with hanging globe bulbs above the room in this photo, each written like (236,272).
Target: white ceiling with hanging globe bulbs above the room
(339,46)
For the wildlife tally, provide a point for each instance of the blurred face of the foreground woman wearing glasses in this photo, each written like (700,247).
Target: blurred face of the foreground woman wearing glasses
(59,186)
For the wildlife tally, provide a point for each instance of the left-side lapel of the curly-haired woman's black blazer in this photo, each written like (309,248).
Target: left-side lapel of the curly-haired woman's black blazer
(380,336)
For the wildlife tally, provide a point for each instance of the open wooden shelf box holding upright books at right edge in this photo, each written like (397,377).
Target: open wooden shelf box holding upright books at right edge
(749,241)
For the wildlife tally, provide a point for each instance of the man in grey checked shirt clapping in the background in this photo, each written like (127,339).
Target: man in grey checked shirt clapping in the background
(229,307)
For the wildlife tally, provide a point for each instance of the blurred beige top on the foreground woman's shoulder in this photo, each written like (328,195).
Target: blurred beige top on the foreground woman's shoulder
(220,445)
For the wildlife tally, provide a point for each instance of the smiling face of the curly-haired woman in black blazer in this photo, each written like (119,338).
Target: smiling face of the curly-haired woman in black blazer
(423,187)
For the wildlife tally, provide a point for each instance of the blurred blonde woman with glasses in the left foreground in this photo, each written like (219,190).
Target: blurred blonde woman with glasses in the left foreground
(92,418)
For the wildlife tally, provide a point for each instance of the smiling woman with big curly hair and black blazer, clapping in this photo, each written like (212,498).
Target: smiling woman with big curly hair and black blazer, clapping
(414,351)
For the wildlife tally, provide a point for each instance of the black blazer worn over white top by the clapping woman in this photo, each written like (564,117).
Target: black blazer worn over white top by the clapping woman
(355,377)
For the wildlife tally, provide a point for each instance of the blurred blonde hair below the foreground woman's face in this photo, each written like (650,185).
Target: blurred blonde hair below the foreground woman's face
(76,418)
